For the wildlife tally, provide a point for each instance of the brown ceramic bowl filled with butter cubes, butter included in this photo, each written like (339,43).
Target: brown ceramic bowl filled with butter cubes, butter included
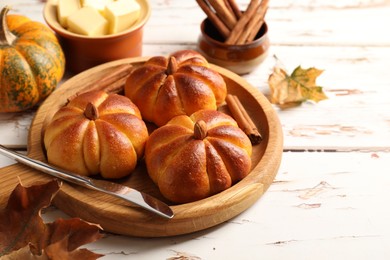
(93,32)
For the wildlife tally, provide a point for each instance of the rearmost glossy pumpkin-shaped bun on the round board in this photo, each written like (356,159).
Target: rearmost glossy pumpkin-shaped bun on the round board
(180,84)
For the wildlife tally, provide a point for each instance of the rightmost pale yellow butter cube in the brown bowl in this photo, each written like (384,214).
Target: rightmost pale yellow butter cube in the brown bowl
(121,14)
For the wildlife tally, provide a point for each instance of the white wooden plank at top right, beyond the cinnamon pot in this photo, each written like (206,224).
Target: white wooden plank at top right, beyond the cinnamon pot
(348,23)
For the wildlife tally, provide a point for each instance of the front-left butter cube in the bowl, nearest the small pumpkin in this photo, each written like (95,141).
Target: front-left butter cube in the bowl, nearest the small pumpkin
(88,21)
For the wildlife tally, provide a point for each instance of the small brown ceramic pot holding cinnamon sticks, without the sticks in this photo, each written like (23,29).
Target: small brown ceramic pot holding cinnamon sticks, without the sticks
(240,59)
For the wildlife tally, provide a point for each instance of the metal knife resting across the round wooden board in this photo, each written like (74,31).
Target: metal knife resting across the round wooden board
(120,191)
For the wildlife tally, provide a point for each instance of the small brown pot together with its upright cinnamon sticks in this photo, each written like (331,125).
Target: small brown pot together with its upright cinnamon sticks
(234,39)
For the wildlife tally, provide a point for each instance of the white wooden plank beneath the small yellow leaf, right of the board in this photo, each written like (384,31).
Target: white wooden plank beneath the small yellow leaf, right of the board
(356,113)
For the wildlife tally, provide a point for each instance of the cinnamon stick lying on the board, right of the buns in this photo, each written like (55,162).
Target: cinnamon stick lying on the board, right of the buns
(243,119)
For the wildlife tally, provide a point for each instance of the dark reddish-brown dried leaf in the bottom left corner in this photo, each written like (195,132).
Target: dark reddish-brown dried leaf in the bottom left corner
(24,235)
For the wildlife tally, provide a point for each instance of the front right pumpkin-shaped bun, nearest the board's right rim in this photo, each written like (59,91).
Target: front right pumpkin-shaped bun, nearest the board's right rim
(193,157)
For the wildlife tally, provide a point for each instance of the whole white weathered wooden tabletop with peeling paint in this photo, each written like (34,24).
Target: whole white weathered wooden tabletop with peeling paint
(330,199)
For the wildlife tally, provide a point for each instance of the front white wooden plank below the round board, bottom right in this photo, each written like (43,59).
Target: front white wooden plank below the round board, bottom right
(320,206)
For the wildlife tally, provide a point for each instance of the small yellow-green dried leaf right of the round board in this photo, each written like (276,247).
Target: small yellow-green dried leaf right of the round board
(291,90)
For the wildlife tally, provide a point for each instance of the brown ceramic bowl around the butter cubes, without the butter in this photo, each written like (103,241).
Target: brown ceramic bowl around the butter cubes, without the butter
(84,52)
